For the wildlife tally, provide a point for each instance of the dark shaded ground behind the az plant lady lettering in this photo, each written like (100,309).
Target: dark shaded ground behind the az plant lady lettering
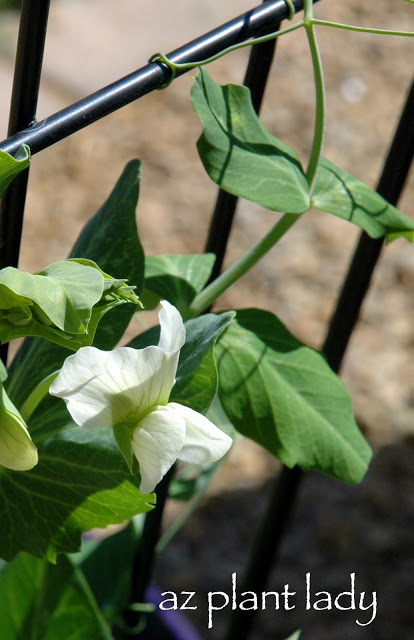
(337,530)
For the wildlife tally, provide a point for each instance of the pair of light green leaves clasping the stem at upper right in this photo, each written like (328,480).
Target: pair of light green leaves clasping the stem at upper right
(243,158)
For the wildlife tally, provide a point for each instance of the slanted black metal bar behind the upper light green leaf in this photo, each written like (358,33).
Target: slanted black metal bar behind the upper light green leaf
(257,73)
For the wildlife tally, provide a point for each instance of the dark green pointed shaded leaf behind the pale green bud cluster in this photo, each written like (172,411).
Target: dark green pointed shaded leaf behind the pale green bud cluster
(110,239)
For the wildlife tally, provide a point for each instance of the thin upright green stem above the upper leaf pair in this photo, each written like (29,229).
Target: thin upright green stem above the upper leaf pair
(318,134)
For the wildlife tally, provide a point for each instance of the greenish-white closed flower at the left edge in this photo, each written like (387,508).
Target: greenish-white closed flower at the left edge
(17,450)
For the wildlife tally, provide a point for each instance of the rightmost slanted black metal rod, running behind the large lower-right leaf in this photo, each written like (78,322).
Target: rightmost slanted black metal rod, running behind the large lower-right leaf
(267,543)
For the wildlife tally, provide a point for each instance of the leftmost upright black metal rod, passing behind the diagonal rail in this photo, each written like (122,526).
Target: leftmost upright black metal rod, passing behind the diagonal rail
(28,66)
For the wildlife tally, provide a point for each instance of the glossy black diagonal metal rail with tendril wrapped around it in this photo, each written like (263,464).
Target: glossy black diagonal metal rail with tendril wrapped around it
(152,76)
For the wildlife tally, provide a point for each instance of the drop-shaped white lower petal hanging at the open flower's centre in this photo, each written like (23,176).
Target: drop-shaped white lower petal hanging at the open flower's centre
(156,442)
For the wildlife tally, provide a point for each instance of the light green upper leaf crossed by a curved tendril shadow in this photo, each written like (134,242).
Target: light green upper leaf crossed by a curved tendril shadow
(238,152)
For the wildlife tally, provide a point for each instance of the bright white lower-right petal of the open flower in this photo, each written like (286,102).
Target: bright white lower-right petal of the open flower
(203,442)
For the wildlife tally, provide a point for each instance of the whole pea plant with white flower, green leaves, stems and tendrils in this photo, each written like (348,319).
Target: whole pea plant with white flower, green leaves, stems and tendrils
(90,433)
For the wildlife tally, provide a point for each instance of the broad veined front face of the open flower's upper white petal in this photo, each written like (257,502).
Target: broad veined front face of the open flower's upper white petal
(106,388)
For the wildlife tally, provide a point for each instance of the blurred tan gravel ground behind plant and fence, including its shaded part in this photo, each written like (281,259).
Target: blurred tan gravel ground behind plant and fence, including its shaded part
(338,529)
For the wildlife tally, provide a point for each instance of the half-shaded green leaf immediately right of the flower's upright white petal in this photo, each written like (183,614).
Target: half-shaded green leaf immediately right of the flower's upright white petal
(196,383)
